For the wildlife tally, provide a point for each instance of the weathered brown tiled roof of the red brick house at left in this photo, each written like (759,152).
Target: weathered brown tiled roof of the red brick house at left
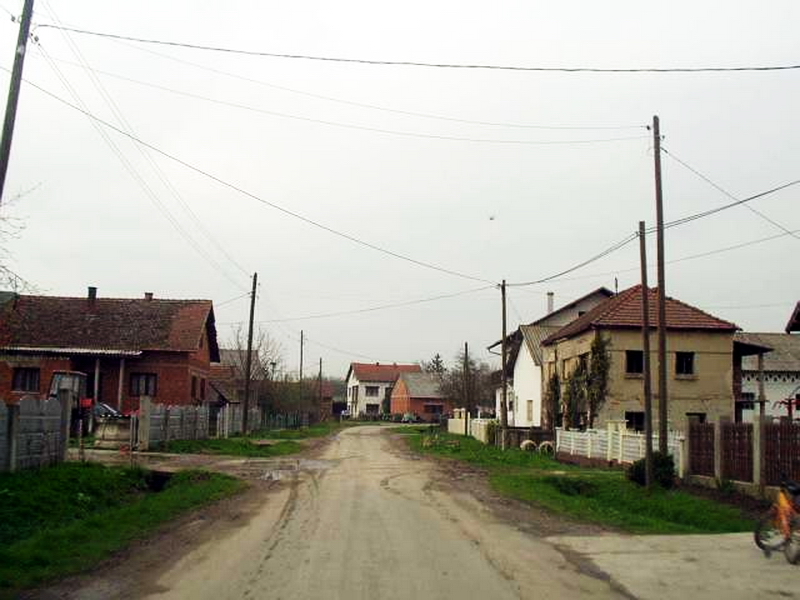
(108,324)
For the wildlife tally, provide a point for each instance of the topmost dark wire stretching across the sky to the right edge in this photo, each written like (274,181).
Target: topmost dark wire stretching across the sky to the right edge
(408,63)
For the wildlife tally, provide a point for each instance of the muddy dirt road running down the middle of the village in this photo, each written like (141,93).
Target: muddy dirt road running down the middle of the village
(364,520)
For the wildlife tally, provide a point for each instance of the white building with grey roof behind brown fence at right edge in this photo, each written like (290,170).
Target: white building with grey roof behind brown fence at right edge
(780,375)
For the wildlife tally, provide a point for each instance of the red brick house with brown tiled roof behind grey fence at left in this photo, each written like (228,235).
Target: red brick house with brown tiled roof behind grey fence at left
(127,347)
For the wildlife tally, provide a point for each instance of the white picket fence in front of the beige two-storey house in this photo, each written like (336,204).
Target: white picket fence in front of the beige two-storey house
(620,446)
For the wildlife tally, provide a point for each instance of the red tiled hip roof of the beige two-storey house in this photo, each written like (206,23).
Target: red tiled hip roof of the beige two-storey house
(624,311)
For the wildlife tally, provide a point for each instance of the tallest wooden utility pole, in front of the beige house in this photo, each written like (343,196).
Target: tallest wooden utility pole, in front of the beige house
(662,297)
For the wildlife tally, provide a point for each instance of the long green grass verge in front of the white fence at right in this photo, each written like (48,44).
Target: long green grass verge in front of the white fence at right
(602,496)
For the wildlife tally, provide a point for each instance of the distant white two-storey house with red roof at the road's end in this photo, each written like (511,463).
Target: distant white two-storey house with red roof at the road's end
(369,386)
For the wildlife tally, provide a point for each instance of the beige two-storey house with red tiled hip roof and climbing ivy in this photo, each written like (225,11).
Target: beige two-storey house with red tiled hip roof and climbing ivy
(700,362)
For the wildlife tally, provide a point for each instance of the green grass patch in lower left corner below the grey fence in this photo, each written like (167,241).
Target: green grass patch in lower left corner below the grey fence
(64,519)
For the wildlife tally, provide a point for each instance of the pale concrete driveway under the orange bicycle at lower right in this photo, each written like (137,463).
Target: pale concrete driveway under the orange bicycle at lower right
(672,567)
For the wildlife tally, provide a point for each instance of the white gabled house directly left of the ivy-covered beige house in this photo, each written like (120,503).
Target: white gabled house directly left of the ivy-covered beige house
(524,363)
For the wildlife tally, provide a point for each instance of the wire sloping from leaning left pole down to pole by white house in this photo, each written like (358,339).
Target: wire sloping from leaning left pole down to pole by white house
(253,196)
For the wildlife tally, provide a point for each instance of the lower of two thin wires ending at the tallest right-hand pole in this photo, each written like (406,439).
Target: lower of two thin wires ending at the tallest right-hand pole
(412,134)
